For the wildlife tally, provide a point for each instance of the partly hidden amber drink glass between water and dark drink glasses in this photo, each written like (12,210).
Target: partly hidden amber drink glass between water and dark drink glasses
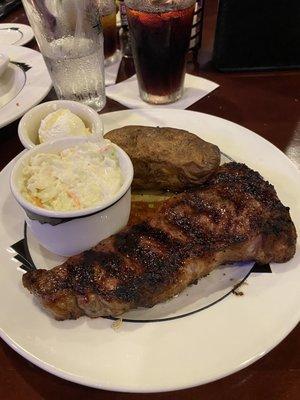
(109,26)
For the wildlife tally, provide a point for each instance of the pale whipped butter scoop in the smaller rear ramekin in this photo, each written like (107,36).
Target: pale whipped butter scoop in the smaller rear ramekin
(61,123)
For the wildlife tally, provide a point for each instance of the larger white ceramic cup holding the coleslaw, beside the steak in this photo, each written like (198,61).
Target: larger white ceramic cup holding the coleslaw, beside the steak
(70,232)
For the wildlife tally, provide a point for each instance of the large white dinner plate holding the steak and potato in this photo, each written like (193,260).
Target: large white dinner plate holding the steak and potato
(171,354)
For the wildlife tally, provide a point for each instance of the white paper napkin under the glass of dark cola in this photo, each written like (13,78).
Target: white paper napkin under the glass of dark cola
(127,93)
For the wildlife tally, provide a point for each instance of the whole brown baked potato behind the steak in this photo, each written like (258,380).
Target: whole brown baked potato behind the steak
(166,158)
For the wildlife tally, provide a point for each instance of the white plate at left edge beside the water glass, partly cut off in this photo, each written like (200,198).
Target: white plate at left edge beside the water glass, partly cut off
(24,83)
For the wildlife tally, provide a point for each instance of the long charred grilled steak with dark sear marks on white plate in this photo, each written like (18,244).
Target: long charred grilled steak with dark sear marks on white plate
(235,216)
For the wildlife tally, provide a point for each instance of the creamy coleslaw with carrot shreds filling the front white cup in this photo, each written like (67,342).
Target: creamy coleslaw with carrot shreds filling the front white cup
(79,177)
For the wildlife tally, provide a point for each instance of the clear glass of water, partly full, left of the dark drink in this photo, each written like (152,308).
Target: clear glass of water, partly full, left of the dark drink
(70,39)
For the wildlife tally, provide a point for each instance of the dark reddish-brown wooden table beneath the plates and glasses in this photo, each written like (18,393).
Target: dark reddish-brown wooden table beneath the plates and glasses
(267,103)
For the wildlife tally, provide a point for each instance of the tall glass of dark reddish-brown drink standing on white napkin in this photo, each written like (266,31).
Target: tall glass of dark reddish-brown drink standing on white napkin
(160,34)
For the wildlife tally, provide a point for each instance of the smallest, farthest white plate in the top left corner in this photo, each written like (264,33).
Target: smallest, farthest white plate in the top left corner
(16,34)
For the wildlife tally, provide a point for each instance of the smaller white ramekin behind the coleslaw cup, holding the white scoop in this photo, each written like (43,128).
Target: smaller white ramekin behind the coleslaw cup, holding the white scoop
(31,121)
